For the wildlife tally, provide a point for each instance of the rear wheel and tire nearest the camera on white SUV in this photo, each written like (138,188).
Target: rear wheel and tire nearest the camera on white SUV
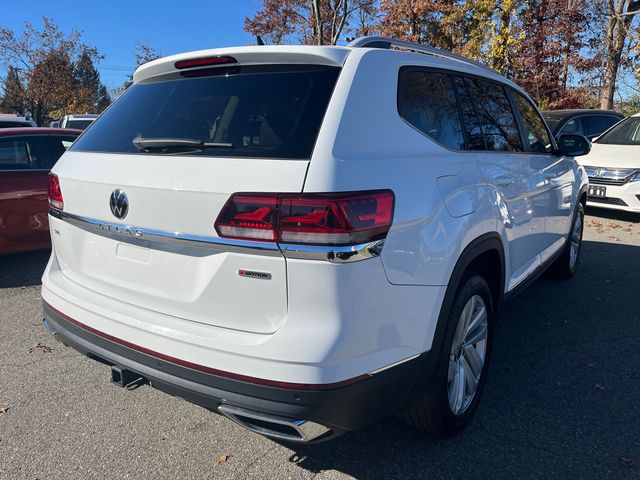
(438,412)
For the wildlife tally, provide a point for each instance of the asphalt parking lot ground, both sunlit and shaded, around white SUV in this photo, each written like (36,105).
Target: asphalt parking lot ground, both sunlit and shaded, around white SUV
(562,401)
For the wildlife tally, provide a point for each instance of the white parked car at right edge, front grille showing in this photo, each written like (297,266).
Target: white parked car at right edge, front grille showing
(613,167)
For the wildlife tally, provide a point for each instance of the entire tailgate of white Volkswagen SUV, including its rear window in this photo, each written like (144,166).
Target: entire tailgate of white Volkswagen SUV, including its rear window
(257,126)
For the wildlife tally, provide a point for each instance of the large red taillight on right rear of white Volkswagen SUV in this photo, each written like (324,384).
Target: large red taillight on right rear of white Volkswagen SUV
(315,219)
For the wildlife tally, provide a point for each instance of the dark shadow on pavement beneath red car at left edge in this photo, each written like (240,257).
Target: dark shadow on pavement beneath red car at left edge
(23,269)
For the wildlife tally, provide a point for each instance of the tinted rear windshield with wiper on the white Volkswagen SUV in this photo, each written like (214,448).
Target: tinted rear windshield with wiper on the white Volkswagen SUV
(259,111)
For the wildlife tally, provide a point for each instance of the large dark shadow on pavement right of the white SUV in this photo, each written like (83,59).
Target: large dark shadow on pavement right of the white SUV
(561,399)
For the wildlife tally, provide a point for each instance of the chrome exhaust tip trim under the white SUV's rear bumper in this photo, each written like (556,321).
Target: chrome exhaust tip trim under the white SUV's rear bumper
(273,426)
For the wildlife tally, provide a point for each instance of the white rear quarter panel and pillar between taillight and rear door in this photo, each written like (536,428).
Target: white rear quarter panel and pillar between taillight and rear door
(364,144)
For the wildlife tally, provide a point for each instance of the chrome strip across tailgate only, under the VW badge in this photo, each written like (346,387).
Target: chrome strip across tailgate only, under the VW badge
(131,233)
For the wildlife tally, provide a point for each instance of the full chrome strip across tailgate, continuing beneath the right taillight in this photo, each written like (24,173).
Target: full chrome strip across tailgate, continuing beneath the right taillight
(134,234)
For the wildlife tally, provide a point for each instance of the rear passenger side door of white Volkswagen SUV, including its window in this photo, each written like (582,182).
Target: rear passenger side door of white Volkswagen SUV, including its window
(504,161)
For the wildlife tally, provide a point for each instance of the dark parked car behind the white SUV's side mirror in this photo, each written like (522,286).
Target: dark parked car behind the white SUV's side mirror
(589,123)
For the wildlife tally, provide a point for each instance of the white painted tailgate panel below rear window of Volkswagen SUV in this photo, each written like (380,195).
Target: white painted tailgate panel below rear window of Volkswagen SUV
(198,281)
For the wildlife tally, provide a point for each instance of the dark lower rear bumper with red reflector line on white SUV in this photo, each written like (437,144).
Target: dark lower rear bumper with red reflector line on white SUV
(339,409)
